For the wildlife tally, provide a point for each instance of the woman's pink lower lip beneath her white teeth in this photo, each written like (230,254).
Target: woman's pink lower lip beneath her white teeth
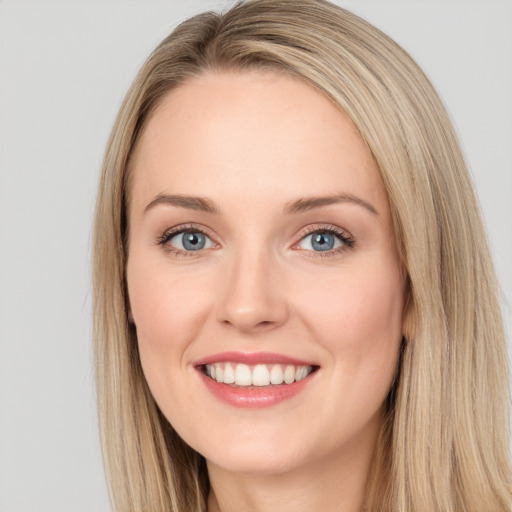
(254,397)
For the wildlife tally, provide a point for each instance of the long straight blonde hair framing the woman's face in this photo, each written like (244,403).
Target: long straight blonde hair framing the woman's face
(444,446)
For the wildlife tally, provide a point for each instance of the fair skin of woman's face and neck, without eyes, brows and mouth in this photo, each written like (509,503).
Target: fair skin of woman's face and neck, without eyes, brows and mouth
(253,143)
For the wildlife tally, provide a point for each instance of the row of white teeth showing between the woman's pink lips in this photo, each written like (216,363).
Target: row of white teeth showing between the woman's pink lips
(259,375)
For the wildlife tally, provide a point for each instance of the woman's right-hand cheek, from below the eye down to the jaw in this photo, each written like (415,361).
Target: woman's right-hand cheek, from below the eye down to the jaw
(358,321)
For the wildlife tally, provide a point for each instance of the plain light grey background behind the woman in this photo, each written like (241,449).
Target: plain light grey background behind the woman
(64,67)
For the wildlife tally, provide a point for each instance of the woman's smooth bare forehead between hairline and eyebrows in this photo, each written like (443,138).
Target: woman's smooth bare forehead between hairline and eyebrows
(253,133)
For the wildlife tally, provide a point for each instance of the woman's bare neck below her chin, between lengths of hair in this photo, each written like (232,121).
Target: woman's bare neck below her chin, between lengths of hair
(335,482)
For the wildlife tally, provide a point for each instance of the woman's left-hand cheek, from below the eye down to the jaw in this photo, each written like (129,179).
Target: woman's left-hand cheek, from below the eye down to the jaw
(166,312)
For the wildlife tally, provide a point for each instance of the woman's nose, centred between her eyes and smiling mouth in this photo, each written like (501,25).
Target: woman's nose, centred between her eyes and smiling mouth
(252,298)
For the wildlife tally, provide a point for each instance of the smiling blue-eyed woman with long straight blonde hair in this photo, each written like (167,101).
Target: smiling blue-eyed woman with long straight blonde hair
(295,306)
